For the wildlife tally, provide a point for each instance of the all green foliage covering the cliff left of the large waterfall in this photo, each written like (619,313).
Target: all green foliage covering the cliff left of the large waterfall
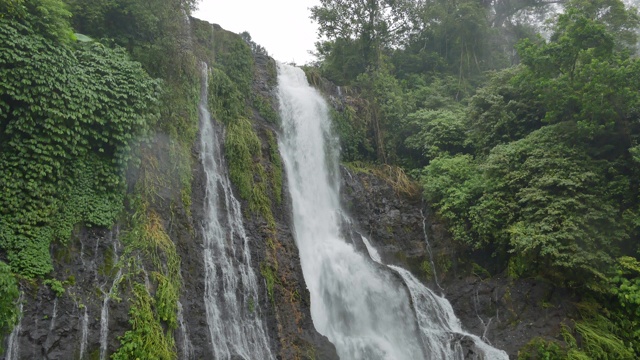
(98,118)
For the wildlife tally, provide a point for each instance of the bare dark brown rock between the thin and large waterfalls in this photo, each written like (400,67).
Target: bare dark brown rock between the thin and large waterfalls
(288,315)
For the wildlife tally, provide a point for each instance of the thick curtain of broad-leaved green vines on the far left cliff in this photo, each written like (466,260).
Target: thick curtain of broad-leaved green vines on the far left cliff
(70,113)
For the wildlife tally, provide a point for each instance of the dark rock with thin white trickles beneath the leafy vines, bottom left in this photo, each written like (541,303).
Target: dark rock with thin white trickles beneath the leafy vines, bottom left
(52,327)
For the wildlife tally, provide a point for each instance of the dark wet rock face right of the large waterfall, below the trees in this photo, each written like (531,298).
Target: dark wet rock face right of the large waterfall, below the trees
(505,312)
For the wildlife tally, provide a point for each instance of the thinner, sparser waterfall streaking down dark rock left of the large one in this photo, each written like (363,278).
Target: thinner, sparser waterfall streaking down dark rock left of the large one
(231,287)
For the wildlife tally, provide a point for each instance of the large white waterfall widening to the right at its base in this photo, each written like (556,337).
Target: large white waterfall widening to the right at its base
(364,309)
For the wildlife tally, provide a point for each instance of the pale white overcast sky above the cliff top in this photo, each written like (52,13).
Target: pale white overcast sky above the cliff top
(282,27)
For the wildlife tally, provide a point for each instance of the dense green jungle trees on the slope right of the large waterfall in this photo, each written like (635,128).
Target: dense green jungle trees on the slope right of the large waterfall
(521,120)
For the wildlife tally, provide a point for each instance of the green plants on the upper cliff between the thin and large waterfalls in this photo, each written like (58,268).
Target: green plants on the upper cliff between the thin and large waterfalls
(229,99)
